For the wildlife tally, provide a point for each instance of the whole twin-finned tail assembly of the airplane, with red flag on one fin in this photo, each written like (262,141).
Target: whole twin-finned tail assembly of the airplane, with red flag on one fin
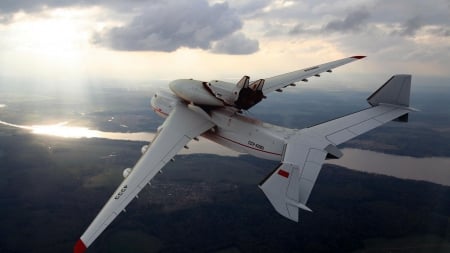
(290,184)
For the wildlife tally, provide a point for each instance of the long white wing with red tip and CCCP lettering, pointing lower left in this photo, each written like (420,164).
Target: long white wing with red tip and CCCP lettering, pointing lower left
(182,125)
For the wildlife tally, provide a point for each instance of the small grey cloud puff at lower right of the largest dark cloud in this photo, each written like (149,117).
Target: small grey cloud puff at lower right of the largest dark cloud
(236,44)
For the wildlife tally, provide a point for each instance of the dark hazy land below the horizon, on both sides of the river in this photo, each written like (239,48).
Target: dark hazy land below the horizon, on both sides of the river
(53,187)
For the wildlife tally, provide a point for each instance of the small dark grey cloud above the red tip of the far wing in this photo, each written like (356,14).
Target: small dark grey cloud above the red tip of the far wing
(354,21)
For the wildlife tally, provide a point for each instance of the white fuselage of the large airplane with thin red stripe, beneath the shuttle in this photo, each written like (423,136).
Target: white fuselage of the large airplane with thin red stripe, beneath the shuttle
(233,130)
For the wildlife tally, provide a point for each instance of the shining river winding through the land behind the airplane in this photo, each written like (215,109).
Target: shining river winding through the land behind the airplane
(431,169)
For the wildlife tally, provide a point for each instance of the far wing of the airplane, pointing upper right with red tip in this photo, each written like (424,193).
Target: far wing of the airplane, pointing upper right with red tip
(281,81)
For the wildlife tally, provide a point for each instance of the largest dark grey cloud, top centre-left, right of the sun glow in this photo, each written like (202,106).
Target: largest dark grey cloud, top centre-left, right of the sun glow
(170,25)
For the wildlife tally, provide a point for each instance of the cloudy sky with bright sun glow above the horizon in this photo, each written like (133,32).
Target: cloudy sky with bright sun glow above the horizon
(71,43)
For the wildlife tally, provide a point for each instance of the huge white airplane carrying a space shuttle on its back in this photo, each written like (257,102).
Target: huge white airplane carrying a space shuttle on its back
(214,110)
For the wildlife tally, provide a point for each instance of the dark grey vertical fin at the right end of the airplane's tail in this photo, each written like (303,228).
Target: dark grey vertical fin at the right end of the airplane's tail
(395,91)
